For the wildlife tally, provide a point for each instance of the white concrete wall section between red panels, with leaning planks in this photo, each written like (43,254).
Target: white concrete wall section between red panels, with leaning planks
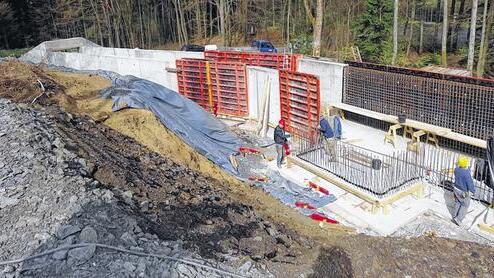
(257,87)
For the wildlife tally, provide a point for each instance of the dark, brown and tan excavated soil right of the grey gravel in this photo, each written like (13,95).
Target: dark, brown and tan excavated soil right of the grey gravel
(216,215)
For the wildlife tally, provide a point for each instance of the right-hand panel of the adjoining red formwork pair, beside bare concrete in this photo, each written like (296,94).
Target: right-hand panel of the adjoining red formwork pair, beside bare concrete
(229,83)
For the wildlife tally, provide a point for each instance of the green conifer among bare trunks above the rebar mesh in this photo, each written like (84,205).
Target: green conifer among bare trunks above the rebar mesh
(373,31)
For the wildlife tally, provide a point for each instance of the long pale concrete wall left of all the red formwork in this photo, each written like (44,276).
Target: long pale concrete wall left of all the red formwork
(147,64)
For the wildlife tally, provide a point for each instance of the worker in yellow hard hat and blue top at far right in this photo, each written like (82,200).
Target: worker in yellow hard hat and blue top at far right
(462,189)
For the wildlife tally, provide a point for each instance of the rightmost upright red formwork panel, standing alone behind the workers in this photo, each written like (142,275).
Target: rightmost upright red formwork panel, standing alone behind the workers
(300,101)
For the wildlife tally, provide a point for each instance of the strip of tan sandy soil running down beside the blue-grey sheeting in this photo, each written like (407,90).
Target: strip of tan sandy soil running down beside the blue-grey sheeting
(80,94)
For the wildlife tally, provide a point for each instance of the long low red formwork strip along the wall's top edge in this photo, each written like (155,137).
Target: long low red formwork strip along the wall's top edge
(270,60)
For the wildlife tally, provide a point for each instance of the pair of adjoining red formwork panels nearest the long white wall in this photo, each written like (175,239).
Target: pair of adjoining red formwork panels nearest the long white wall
(228,85)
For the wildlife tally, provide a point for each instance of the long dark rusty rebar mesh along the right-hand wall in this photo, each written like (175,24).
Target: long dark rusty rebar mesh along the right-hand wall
(464,105)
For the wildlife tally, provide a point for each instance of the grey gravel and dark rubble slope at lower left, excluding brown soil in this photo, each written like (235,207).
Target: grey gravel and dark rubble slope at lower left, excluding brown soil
(57,191)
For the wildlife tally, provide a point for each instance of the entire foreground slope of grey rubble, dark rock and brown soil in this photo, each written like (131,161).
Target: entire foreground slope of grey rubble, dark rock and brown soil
(65,179)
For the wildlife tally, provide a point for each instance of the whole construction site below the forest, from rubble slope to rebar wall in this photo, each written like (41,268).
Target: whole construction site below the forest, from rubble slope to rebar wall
(154,163)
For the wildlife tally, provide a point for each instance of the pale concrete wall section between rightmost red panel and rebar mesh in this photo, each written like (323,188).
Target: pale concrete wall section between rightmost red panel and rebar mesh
(331,76)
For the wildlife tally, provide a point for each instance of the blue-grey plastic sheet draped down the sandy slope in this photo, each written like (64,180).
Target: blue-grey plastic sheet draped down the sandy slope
(188,120)
